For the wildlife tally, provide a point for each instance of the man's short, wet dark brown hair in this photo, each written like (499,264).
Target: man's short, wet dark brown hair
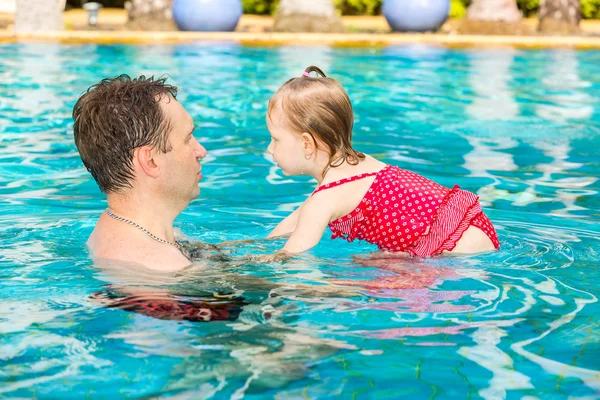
(112,119)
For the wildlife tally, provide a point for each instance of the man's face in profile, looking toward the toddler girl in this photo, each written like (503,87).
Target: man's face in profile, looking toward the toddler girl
(180,167)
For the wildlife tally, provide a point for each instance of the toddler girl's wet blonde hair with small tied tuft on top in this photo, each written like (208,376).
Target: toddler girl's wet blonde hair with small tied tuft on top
(320,107)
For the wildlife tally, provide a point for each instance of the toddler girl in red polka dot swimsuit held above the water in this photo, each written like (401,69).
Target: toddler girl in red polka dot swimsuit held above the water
(310,120)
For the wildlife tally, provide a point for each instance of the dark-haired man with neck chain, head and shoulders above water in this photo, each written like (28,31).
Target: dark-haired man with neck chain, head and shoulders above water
(137,141)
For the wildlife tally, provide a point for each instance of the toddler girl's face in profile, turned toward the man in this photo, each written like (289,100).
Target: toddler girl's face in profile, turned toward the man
(287,147)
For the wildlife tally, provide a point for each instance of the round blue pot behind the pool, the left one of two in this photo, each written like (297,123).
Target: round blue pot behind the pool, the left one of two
(207,15)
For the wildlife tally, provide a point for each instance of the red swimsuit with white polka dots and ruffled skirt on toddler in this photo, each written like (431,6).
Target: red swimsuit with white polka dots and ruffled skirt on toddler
(403,211)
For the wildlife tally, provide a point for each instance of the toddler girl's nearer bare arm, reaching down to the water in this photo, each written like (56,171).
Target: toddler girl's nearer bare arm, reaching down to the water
(311,223)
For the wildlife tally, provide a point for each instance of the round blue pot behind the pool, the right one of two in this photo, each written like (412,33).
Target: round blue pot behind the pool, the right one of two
(415,15)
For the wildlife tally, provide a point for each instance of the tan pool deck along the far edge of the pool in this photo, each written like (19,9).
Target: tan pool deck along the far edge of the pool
(255,30)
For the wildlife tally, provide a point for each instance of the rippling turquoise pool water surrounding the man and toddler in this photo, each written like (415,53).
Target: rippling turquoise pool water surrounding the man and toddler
(519,128)
